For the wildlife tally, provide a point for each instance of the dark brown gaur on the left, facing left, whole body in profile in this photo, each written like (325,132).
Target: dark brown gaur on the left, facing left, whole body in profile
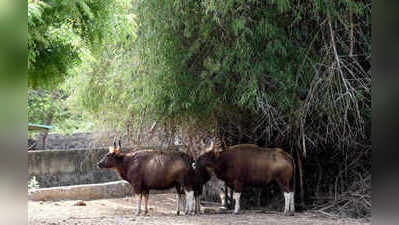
(153,169)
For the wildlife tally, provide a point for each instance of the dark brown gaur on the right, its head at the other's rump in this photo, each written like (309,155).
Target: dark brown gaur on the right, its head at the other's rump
(249,165)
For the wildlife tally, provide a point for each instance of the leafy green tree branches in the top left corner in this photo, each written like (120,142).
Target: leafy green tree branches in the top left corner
(61,32)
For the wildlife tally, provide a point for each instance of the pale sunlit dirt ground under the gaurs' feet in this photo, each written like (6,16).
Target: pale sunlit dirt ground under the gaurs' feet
(161,211)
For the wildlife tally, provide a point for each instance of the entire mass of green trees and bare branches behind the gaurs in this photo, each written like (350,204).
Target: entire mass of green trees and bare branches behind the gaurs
(284,73)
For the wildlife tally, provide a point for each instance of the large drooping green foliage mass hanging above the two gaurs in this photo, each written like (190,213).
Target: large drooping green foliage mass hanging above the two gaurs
(261,65)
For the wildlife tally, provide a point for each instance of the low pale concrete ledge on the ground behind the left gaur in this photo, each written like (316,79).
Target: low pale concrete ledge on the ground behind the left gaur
(116,189)
